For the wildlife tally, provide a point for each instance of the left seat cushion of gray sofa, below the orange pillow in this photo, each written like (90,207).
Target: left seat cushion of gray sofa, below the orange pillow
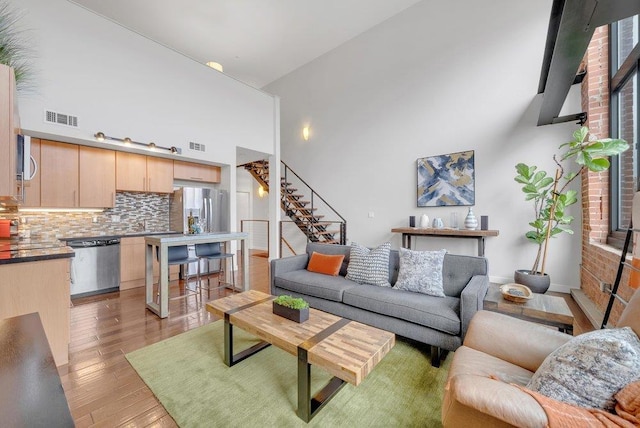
(314,284)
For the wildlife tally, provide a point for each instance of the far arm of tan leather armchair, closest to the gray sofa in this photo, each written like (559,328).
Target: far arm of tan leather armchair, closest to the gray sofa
(519,342)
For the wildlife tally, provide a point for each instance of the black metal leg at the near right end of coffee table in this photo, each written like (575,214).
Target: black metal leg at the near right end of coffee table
(308,407)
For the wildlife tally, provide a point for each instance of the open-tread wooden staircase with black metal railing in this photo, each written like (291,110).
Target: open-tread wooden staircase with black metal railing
(302,212)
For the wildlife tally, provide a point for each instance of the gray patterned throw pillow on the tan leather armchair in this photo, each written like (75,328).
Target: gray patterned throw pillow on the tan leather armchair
(590,369)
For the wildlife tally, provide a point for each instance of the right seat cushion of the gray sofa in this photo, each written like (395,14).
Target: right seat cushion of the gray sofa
(433,312)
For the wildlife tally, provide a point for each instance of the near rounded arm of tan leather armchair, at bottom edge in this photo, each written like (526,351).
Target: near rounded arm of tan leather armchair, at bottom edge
(476,401)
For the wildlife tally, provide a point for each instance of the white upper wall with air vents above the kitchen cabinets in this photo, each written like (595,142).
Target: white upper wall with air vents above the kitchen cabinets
(123,84)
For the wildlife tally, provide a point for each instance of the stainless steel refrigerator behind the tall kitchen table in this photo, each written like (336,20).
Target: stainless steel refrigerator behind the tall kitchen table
(210,210)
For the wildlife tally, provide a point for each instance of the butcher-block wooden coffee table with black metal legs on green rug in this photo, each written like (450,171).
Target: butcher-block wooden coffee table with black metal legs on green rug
(346,349)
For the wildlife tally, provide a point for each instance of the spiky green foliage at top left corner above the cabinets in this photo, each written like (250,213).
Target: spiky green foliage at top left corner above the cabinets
(13,48)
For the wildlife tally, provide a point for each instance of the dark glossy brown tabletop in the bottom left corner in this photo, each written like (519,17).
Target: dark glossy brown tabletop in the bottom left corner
(32,393)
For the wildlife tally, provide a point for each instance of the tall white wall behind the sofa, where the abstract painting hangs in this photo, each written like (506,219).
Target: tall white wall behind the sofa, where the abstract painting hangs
(439,77)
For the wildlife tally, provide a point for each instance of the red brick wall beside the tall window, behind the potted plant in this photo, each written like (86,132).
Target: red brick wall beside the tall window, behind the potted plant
(599,262)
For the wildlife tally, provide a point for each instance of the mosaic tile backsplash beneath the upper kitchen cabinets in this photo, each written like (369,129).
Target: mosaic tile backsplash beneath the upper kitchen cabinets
(136,212)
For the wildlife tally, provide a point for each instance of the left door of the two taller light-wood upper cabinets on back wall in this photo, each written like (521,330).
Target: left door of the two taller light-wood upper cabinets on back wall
(59,174)
